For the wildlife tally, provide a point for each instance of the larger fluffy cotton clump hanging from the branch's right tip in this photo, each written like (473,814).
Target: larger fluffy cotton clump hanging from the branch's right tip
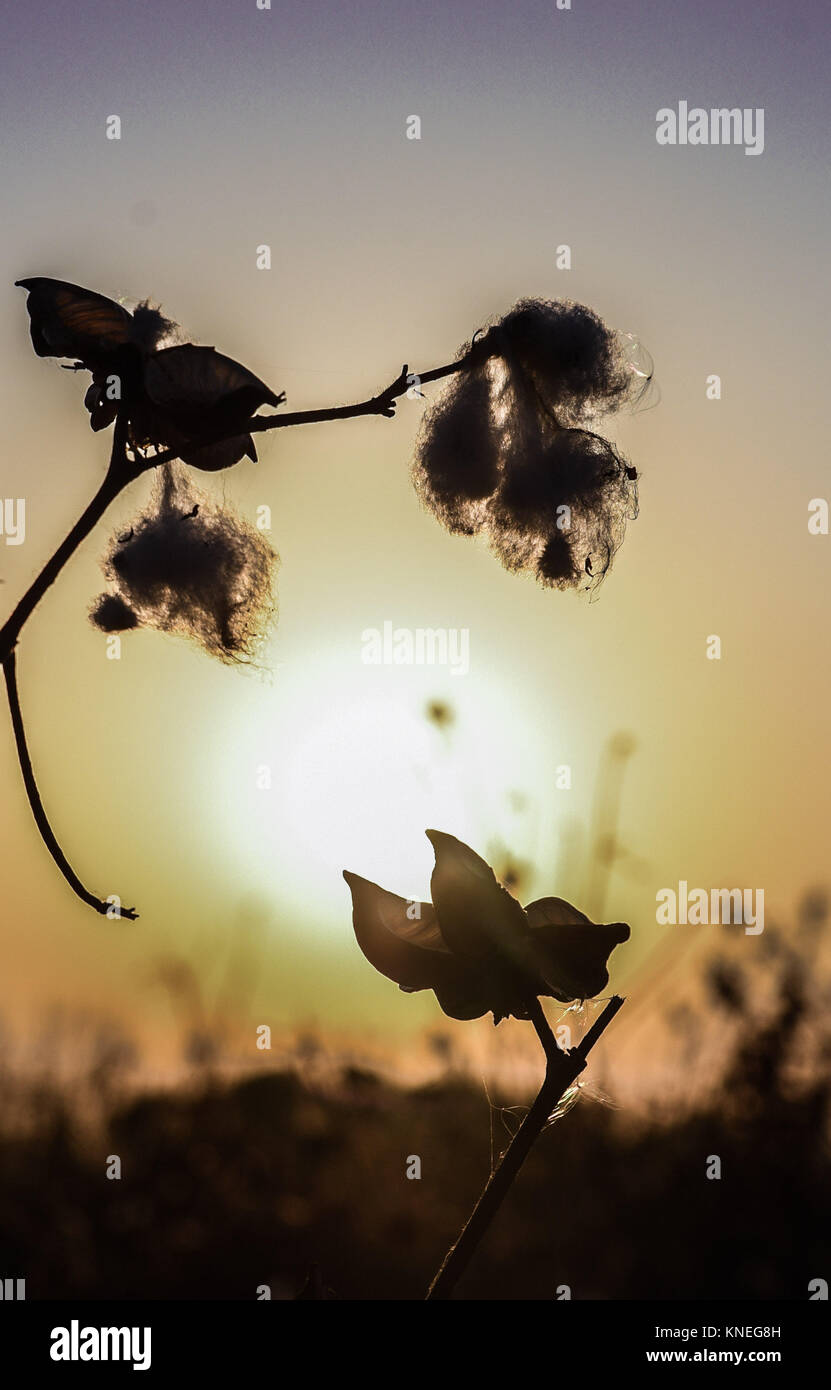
(504,454)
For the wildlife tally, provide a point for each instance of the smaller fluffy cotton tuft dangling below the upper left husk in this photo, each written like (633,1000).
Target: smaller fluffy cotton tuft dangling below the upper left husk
(192,568)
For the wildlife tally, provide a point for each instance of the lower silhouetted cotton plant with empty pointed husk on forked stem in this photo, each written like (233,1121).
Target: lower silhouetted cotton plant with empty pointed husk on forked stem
(482,953)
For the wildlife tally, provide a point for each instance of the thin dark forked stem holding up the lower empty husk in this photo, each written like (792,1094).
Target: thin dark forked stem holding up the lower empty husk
(562,1070)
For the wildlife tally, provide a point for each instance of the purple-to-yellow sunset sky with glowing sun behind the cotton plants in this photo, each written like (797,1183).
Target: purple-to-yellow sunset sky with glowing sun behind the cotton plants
(288,127)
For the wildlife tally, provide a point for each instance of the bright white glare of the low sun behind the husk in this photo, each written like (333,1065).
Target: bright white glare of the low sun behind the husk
(355,783)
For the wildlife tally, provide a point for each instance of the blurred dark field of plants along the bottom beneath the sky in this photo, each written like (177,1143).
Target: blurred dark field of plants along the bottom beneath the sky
(247,1168)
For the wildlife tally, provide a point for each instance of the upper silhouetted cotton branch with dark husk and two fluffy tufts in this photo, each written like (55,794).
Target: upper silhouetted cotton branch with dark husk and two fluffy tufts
(508,452)
